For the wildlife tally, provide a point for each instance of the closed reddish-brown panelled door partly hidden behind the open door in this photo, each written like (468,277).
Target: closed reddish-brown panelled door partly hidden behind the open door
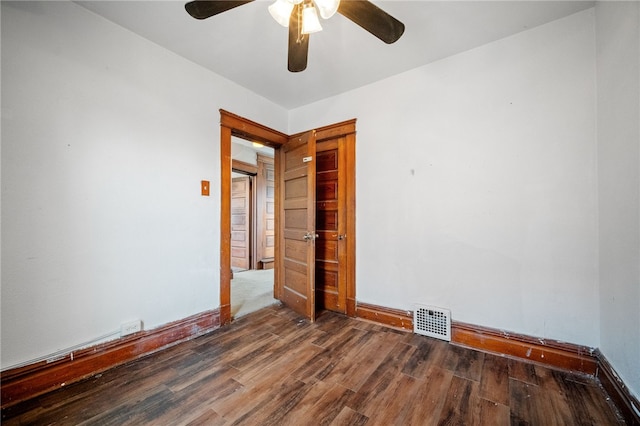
(331,289)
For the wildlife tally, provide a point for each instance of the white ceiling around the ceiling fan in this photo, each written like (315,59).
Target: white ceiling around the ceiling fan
(247,46)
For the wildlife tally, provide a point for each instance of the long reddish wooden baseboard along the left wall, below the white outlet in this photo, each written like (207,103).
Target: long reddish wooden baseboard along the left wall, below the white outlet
(20,384)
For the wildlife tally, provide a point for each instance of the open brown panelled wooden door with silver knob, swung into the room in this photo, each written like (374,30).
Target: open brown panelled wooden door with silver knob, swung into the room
(297,173)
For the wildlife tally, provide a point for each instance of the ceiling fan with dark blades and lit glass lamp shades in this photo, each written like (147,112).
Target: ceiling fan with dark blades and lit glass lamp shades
(301,16)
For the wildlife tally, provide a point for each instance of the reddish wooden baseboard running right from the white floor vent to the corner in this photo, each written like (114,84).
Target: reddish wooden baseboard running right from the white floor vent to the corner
(565,356)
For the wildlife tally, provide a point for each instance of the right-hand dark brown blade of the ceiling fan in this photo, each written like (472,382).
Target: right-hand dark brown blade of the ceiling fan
(373,19)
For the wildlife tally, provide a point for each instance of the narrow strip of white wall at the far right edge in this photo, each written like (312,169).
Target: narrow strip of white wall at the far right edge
(618,52)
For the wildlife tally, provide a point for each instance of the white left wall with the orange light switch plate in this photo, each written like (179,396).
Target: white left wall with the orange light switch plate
(105,138)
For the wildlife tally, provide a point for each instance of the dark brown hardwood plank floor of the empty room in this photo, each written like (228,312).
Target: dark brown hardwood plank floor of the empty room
(274,368)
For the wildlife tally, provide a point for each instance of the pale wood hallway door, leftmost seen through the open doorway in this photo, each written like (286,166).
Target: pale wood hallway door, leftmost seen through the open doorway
(240,222)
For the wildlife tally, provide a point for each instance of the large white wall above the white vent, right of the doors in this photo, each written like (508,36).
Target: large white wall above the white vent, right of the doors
(477,185)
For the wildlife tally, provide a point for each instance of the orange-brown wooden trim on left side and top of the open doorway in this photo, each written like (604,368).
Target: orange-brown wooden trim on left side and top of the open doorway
(232,124)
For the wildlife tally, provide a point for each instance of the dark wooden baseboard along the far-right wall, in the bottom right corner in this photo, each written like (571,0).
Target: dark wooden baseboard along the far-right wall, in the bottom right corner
(628,405)
